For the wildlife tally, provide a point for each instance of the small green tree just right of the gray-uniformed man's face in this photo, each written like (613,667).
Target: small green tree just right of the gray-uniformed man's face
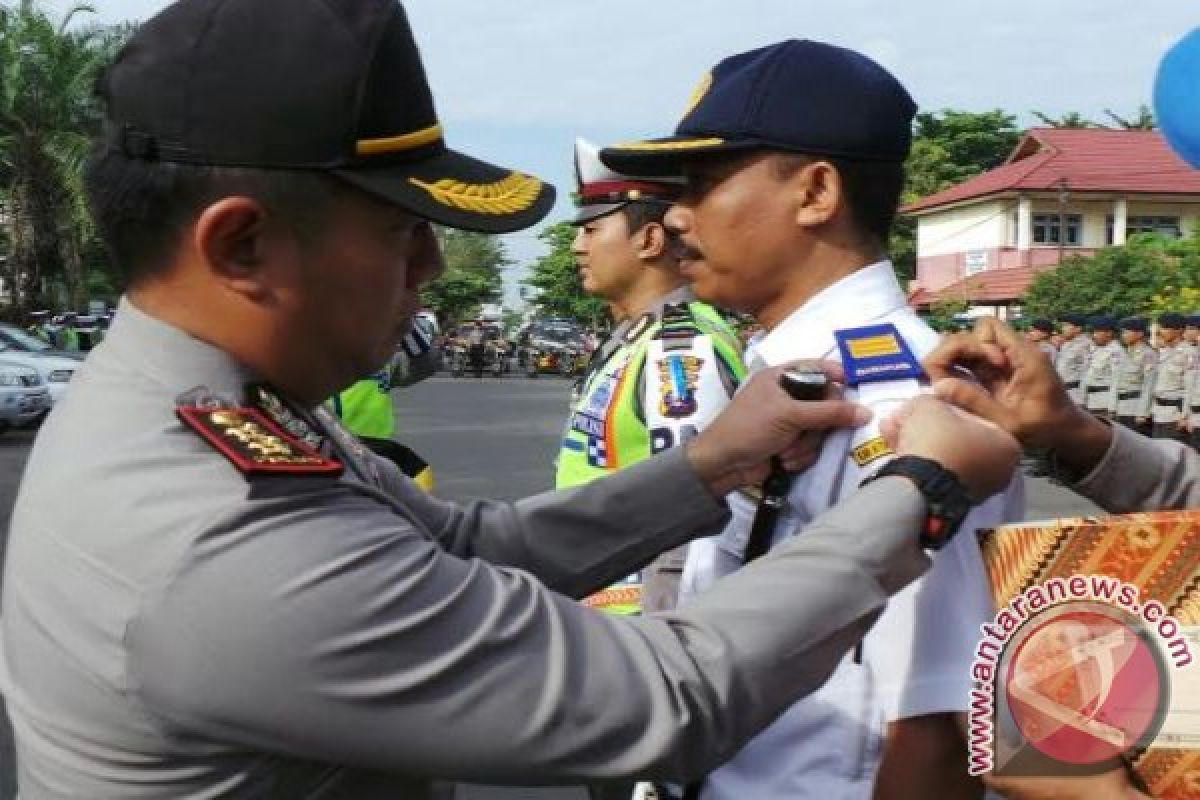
(473,275)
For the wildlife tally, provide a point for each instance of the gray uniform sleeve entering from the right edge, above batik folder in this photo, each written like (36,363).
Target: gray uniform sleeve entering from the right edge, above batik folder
(1143,474)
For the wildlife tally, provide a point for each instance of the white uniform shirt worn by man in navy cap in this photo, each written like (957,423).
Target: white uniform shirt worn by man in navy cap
(917,659)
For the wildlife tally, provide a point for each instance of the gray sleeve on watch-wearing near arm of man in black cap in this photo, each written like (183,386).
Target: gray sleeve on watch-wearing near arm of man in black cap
(323,627)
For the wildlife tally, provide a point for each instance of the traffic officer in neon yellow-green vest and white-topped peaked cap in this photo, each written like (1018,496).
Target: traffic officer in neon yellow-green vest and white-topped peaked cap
(670,365)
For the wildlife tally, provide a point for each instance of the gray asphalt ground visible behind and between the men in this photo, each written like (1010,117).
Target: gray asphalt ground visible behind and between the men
(485,438)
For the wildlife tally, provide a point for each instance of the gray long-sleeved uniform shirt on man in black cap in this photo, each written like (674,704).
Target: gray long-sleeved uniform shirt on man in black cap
(175,630)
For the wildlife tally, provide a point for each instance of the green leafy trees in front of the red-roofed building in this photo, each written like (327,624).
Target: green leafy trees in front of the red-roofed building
(1147,275)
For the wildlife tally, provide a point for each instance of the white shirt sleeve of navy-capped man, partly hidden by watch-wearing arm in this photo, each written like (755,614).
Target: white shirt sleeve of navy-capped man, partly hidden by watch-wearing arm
(922,654)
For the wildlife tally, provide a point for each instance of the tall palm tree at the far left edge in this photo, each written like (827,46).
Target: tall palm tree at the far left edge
(49,116)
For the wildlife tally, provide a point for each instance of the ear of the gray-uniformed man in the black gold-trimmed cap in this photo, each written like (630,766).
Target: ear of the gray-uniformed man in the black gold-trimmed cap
(230,238)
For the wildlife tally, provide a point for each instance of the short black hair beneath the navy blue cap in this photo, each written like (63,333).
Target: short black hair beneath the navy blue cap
(873,189)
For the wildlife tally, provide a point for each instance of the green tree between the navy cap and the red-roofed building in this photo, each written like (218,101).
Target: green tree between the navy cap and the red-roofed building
(949,148)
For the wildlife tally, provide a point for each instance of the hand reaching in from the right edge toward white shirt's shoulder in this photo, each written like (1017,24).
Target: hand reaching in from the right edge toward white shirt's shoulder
(1018,390)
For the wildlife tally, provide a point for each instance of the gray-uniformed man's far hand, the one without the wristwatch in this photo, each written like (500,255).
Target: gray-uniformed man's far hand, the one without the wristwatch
(761,422)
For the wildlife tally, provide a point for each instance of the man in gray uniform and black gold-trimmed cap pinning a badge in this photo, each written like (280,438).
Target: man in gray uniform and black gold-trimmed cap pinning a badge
(238,599)
